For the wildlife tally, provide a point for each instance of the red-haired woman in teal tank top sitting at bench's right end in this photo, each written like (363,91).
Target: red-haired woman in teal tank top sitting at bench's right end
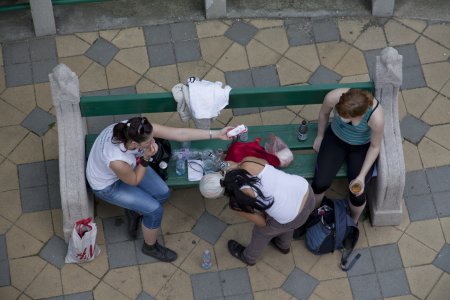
(354,136)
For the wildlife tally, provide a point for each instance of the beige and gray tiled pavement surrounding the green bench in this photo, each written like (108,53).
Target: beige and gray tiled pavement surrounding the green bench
(409,261)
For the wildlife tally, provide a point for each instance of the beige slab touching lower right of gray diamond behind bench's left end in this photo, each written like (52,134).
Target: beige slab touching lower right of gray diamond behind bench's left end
(119,75)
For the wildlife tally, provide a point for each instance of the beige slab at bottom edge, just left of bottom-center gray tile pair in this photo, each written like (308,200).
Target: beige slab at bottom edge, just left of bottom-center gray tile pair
(178,287)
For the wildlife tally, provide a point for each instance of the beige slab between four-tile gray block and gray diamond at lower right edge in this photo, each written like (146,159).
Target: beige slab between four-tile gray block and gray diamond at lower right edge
(414,253)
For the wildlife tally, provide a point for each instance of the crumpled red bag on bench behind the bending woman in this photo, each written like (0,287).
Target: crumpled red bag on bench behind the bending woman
(237,151)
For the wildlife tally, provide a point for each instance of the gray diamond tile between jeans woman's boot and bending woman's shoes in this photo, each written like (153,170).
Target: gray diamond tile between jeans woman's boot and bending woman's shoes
(209,228)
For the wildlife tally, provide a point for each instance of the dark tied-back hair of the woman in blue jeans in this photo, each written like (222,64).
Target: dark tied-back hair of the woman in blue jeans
(136,129)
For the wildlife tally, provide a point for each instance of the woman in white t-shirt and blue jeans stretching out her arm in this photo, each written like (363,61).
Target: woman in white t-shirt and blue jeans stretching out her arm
(116,177)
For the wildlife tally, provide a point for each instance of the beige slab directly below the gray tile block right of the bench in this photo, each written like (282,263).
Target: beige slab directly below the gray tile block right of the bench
(428,232)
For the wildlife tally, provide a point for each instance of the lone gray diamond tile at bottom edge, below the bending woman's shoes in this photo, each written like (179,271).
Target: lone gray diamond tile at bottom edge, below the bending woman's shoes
(299,284)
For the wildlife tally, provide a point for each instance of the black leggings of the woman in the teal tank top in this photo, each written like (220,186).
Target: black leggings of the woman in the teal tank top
(332,154)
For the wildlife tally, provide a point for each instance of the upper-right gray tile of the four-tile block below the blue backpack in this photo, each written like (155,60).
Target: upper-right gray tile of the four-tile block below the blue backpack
(386,257)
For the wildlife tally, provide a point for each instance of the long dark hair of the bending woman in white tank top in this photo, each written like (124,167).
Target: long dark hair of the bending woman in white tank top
(233,181)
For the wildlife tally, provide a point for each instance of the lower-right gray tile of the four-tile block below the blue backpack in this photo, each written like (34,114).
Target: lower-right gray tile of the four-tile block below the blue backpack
(393,283)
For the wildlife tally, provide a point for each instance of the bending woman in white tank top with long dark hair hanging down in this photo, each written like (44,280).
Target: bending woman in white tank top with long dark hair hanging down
(277,202)
